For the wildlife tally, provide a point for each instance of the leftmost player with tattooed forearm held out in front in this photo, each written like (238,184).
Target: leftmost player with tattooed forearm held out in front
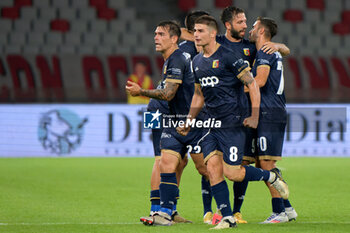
(178,81)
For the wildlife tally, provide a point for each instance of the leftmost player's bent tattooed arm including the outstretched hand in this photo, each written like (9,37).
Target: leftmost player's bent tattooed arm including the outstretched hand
(167,93)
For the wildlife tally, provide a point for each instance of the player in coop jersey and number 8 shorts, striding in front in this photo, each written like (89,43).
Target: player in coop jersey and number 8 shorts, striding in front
(221,75)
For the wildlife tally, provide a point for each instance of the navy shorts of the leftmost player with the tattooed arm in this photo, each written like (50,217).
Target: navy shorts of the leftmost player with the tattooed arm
(179,145)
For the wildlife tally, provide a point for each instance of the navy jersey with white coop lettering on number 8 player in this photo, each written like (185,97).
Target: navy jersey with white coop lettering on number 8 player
(223,91)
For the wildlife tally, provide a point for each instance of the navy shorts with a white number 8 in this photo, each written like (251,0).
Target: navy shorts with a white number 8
(228,142)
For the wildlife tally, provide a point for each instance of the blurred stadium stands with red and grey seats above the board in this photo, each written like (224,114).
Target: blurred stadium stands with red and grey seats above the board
(83,50)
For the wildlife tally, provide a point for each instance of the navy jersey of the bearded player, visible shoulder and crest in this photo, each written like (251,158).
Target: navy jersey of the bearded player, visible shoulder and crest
(243,49)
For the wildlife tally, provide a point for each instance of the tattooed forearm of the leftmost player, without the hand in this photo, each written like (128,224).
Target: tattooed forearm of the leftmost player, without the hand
(167,93)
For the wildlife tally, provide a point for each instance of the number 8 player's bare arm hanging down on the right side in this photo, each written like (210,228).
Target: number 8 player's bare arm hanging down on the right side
(254,93)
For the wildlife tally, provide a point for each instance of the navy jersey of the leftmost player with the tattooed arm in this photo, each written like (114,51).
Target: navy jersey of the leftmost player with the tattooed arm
(177,68)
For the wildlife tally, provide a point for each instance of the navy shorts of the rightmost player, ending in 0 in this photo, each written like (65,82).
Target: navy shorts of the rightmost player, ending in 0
(266,142)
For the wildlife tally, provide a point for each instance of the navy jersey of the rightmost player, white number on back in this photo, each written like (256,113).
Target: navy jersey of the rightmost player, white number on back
(273,101)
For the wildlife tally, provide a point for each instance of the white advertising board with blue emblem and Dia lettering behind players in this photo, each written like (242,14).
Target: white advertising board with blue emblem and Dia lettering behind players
(116,130)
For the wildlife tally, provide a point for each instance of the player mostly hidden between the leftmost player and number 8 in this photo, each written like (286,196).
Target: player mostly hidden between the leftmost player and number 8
(190,47)
